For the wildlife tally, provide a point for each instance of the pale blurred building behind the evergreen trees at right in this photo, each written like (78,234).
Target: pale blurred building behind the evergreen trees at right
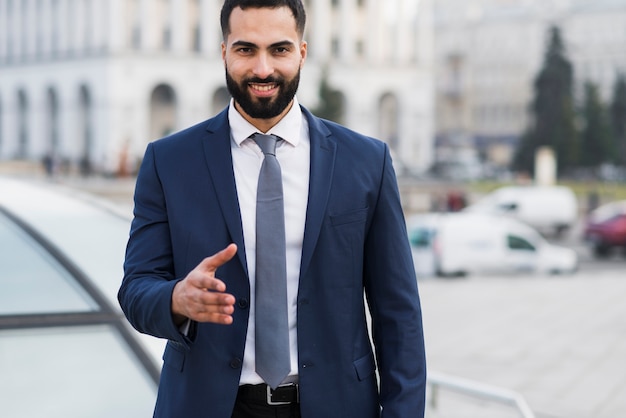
(488,53)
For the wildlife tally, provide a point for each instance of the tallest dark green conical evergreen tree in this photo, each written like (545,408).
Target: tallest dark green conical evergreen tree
(552,111)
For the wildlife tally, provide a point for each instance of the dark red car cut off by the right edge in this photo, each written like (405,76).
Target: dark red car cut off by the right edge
(605,228)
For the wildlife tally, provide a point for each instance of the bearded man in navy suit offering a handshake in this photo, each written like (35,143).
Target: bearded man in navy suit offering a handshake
(191,261)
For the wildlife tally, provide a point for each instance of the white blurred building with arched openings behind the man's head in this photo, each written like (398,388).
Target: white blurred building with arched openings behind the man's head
(91,82)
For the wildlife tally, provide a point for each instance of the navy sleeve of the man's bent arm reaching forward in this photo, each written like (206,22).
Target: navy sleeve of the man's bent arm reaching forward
(146,290)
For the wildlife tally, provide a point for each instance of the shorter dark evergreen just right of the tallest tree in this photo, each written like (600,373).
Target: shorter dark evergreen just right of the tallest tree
(596,144)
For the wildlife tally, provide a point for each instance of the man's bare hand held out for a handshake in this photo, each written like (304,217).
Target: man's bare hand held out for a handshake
(201,296)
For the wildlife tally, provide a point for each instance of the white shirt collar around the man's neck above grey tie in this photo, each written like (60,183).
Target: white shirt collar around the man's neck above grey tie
(288,128)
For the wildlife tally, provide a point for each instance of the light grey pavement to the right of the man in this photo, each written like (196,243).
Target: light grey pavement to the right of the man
(558,341)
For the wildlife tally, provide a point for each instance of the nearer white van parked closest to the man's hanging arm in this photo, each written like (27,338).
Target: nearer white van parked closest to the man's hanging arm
(462,243)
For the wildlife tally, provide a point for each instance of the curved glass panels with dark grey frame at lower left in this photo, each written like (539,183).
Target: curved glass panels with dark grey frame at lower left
(64,350)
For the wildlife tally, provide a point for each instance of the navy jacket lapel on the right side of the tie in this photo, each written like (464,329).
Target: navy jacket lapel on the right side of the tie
(323,150)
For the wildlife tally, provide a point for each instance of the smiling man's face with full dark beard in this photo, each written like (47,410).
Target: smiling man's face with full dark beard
(263,56)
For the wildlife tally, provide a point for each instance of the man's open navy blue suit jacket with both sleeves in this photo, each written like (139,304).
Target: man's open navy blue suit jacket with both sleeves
(355,243)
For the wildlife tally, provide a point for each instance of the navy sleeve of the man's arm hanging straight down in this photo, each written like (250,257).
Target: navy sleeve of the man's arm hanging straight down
(392,294)
